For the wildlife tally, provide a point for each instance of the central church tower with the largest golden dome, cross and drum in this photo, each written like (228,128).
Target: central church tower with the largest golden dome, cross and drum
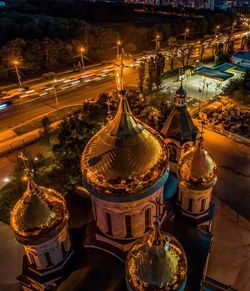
(124,167)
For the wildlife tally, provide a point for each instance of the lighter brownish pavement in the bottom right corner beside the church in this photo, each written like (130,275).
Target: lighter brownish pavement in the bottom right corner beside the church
(230,255)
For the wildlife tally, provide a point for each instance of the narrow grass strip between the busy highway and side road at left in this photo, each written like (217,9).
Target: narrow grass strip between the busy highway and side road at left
(37,123)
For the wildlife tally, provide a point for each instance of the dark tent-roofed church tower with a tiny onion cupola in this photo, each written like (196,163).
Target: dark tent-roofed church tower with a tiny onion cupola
(179,130)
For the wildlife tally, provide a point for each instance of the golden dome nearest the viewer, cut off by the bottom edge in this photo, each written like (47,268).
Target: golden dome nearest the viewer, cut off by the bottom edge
(156,262)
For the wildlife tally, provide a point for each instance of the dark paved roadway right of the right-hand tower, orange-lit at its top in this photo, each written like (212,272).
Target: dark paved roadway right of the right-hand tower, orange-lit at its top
(233,161)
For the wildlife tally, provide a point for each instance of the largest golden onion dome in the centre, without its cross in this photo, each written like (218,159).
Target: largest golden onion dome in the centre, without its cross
(124,157)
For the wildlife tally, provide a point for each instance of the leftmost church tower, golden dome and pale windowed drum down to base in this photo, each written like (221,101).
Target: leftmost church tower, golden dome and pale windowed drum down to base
(40,223)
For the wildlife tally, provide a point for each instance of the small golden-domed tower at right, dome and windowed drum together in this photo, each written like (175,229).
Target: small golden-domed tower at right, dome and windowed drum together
(198,175)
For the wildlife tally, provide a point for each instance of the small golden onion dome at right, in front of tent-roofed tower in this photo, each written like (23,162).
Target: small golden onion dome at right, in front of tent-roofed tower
(197,169)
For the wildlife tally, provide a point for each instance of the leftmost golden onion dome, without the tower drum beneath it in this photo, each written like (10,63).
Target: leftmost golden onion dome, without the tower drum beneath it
(38,211)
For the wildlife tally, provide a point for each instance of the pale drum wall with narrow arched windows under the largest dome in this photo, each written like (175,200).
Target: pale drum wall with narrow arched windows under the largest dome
(118,212)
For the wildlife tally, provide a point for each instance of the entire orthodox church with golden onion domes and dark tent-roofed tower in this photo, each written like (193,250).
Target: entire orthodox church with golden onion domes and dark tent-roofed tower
(137,238)
